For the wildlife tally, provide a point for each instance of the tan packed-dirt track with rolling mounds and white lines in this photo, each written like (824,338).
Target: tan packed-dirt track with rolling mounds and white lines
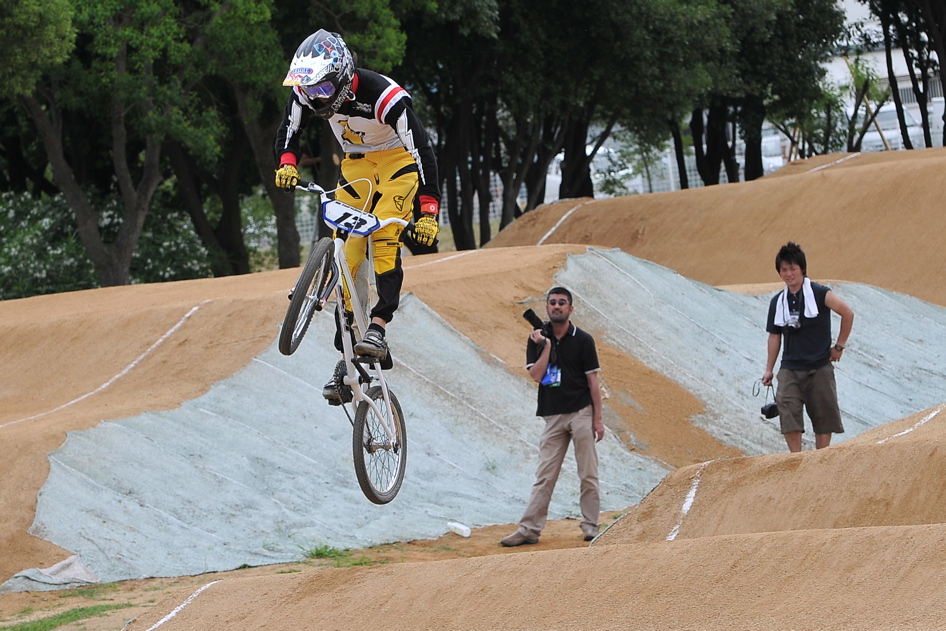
(848,538)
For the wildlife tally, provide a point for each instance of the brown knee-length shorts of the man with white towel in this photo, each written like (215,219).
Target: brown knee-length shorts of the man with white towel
(816,392)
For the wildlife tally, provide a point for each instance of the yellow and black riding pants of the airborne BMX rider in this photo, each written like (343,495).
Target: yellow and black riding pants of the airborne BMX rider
(384,183)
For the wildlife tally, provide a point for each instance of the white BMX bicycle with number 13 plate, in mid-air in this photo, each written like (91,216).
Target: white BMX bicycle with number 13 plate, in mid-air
(379,436)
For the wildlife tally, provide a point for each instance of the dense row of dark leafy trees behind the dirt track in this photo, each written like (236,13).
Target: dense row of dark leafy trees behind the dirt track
(106,101)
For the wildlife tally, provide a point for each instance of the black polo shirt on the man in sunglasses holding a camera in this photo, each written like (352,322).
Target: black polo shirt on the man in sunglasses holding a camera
(575,355)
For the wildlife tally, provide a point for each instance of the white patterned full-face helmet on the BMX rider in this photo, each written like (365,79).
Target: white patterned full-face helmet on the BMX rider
(323,69)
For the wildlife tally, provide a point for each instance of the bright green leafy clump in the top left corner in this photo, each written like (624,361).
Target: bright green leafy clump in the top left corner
(35,35)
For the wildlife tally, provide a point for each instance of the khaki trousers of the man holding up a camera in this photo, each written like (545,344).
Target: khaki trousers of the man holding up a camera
(561,429)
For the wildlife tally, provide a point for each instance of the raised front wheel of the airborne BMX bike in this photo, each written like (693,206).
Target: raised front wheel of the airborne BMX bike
(315,277)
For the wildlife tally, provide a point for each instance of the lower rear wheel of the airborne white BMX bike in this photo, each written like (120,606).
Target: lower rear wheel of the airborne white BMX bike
(379,462)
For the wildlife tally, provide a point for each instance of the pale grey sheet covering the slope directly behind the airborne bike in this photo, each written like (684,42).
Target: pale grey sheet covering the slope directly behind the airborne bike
(259,469)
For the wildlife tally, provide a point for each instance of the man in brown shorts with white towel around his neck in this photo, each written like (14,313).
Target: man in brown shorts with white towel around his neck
(801,313)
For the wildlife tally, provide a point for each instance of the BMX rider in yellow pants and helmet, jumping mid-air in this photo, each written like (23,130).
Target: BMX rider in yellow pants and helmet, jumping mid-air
(373,119)
